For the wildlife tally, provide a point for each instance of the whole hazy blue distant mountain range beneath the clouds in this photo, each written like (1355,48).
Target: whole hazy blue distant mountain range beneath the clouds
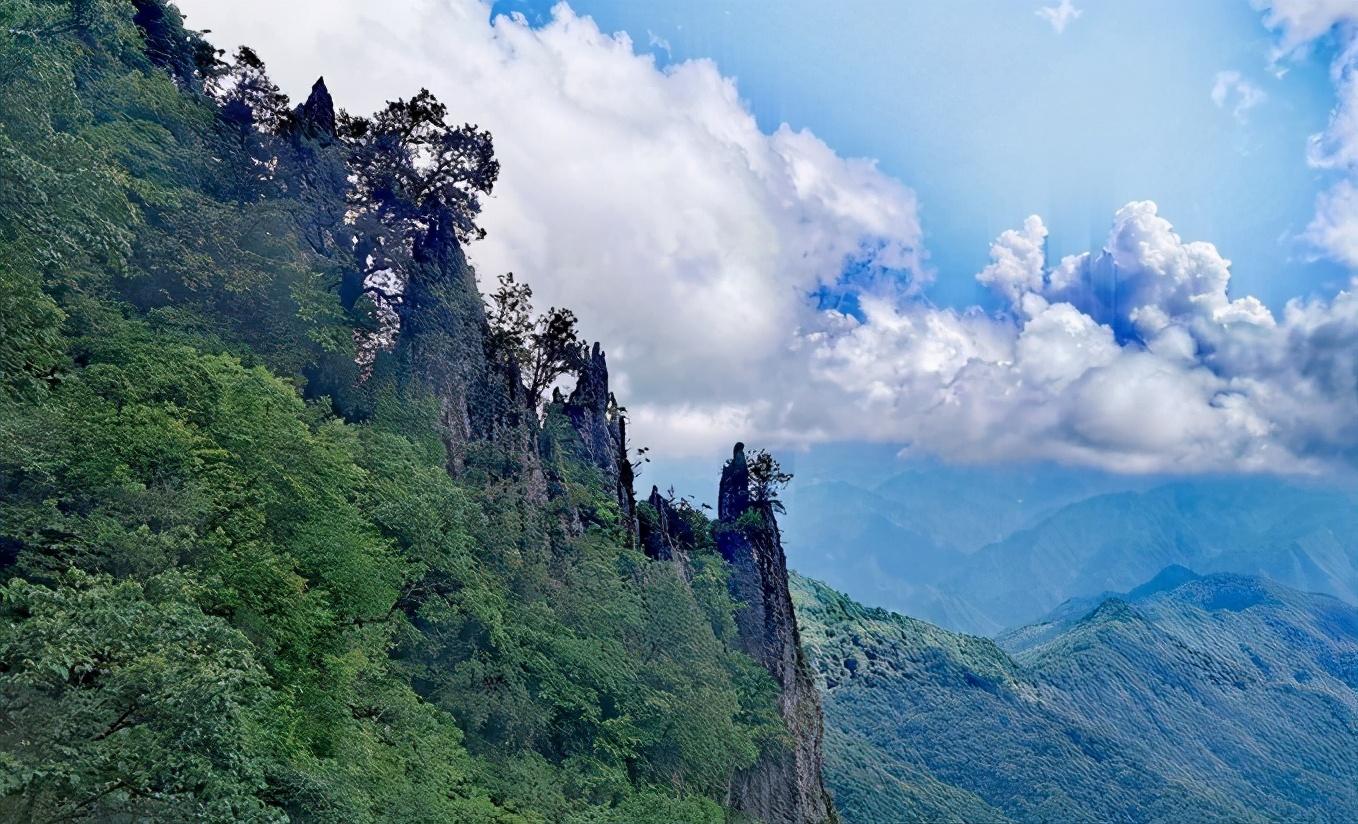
(984,550)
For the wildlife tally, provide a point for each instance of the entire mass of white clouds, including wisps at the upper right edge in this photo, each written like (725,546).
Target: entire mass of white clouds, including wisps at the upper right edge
(699,248)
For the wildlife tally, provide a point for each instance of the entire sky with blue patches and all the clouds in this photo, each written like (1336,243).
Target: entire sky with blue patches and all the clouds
(696,189)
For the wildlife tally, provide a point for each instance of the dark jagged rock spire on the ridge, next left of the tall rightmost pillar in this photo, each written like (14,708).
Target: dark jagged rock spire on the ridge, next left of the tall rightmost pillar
(602,428)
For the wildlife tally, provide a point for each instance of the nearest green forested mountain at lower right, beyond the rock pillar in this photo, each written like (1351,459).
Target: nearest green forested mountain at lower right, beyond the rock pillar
(1216,698)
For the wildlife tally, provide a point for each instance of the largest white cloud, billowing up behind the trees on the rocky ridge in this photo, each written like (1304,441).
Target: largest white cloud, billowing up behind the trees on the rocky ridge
(648,200)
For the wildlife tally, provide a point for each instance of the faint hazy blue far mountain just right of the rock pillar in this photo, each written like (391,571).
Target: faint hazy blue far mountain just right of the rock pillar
(893,536)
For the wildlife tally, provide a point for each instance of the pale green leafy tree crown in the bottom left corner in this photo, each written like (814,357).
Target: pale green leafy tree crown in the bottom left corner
(126,701)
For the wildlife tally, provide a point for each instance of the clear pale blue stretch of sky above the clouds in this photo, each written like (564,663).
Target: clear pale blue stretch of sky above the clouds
(991,116)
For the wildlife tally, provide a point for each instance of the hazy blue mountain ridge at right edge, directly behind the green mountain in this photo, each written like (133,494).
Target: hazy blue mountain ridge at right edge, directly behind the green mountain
(1299,536)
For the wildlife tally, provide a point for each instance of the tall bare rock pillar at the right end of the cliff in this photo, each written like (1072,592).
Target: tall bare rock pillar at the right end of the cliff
(786,785)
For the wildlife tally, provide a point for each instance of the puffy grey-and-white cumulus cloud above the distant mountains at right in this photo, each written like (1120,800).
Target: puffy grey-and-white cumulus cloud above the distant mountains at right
(1133,359)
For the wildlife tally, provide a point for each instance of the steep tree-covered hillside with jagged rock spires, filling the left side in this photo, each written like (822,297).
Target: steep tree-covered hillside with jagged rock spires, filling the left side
(294,525)
